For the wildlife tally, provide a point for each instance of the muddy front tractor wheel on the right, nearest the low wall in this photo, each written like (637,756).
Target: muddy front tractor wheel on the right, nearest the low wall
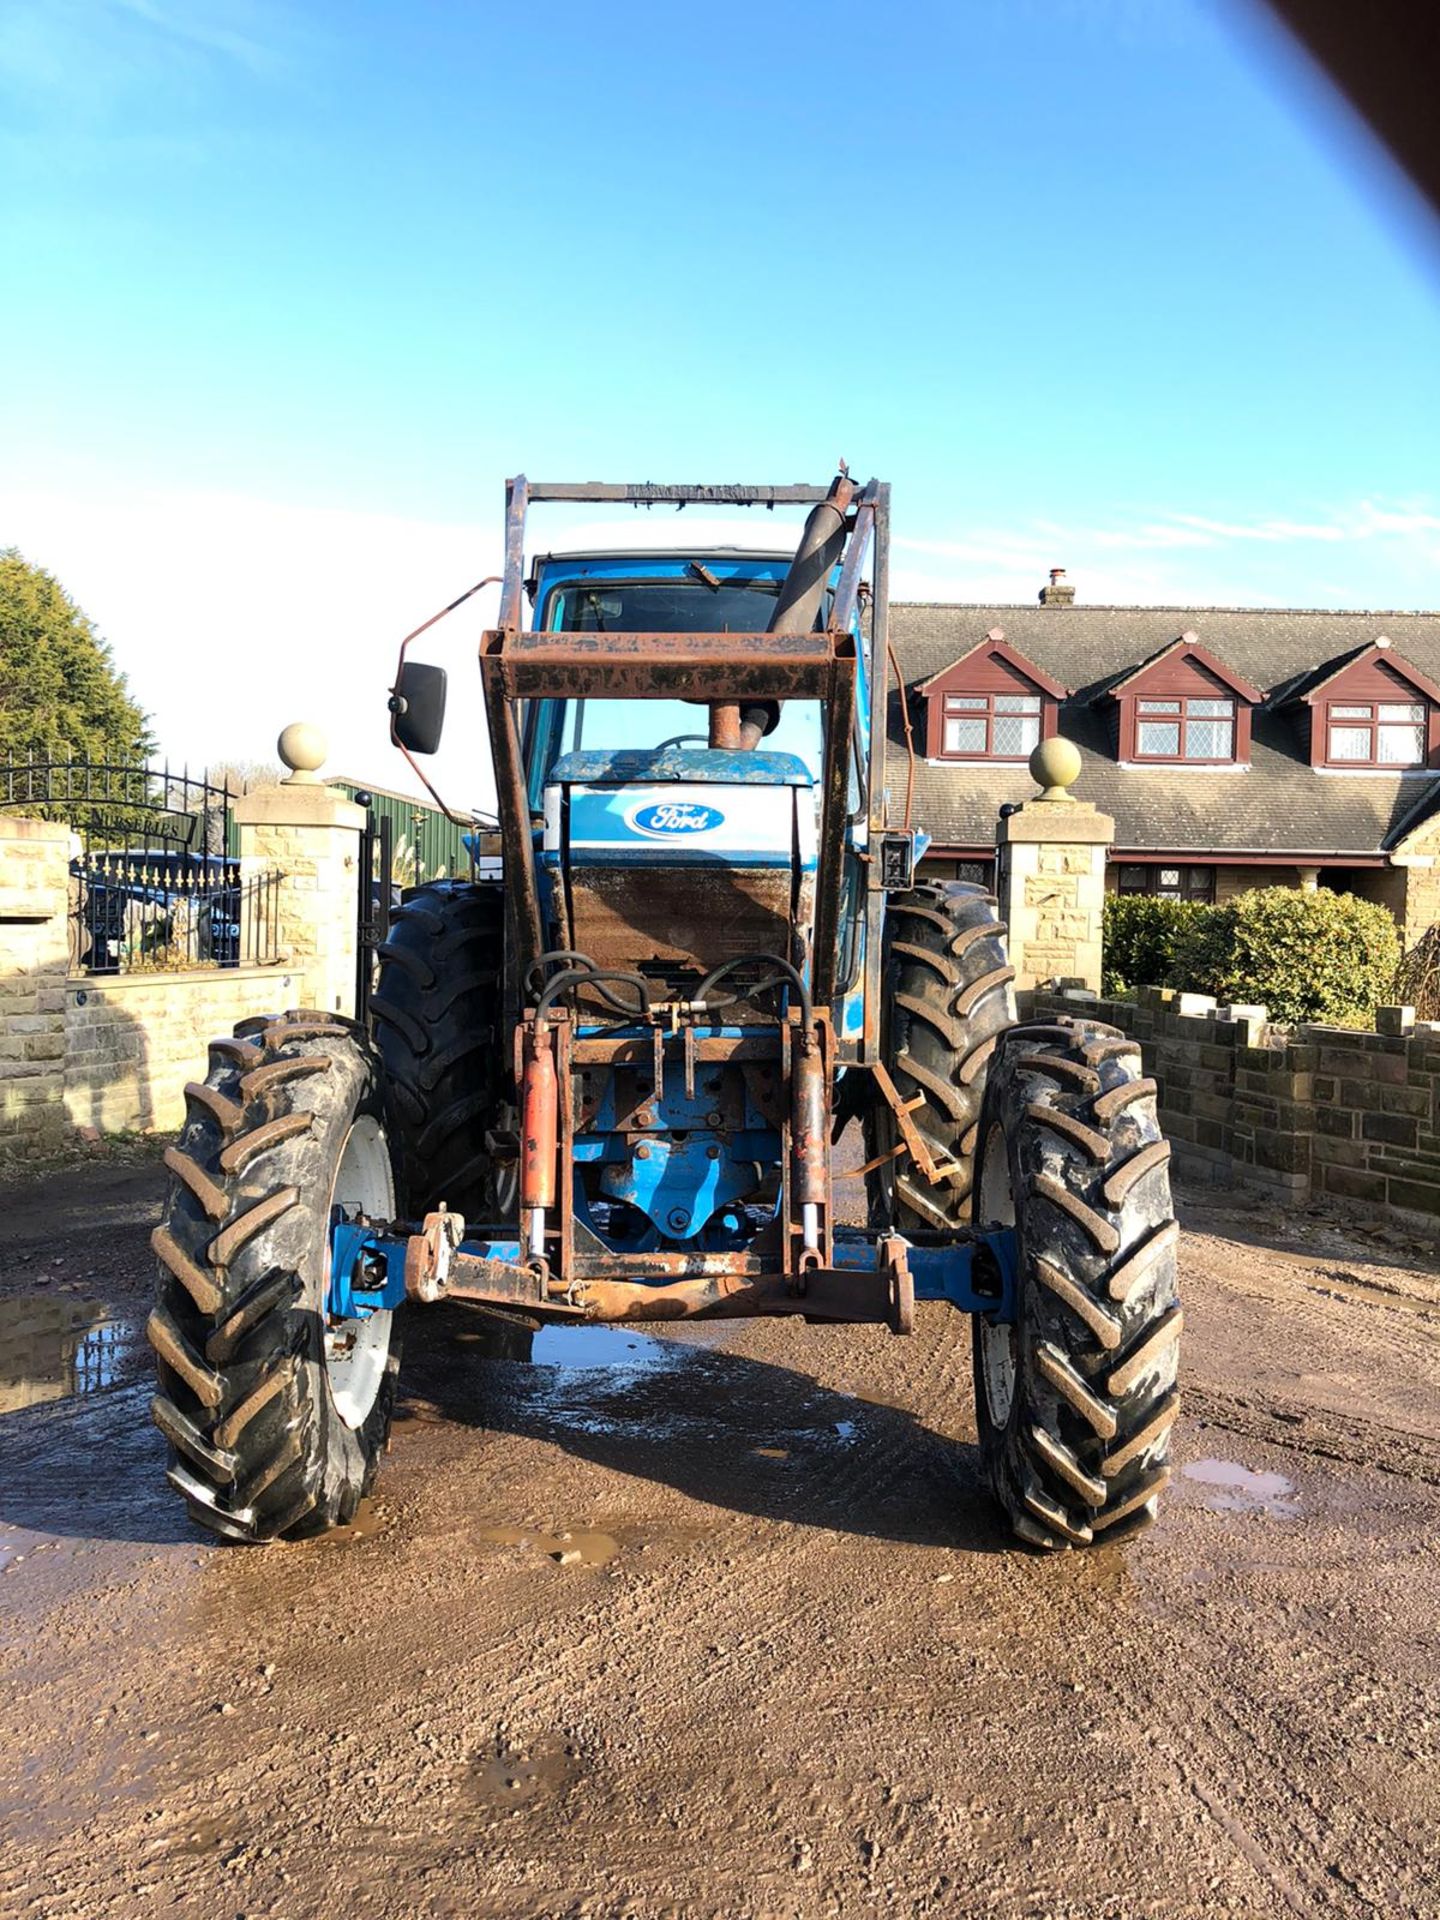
(1076,1401)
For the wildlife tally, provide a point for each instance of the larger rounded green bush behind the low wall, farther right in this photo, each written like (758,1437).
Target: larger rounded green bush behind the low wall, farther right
(1303,955)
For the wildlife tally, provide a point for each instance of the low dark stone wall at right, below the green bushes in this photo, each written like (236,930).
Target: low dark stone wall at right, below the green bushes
(1295,1113)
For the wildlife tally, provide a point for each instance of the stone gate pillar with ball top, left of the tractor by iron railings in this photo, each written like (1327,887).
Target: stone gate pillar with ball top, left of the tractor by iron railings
(300,875)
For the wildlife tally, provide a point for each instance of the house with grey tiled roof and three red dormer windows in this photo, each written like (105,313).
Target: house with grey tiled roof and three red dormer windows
(1234,746)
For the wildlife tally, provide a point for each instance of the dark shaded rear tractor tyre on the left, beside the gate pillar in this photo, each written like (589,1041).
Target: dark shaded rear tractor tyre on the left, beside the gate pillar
(437,1015)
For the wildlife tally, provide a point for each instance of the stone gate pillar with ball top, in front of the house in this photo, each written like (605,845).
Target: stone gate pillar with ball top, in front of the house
(1051,875)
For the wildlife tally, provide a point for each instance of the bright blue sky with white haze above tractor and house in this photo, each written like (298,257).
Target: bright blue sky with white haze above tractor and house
(1093,283)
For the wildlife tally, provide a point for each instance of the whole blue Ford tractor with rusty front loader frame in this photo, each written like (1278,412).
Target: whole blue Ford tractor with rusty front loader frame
(606,1086)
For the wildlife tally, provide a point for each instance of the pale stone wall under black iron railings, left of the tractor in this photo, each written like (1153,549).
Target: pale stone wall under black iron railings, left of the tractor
(132,1042)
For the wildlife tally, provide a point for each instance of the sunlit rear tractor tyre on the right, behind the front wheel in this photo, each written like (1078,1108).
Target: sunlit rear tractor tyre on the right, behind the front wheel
(948,997)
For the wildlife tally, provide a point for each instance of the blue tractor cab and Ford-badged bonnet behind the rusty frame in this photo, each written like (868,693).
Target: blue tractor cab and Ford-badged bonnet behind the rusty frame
(663,852)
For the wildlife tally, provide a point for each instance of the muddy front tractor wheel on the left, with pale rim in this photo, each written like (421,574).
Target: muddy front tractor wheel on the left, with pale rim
(276,1410)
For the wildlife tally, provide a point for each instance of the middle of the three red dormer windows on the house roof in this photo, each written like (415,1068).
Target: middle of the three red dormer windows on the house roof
(1184,708)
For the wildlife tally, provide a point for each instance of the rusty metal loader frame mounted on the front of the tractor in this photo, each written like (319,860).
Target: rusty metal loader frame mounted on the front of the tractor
(517,667)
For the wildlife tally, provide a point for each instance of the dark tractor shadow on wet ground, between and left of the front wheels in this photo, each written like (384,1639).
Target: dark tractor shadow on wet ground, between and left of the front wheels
(719,1428)
